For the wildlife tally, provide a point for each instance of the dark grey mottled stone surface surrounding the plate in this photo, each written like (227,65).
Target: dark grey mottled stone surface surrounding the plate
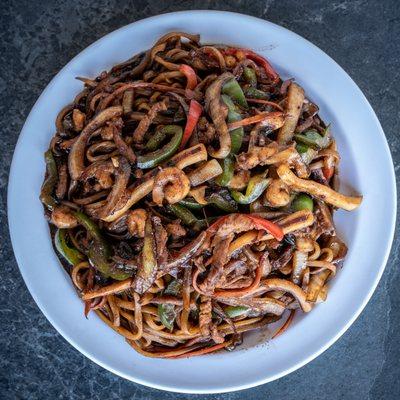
(38,38)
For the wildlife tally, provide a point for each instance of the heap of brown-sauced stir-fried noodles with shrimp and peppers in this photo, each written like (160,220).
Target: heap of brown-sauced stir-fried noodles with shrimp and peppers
(190,193)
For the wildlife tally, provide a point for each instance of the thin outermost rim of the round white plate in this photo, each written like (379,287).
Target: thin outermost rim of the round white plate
(222,388)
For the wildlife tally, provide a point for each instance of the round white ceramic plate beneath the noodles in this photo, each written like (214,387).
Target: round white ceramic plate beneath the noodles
(366,167)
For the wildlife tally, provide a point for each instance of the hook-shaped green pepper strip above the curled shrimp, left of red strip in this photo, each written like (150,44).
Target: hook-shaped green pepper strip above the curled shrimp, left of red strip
(156,157)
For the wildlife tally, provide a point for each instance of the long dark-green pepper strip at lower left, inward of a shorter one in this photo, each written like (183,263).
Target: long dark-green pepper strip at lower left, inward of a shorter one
(99,251)
